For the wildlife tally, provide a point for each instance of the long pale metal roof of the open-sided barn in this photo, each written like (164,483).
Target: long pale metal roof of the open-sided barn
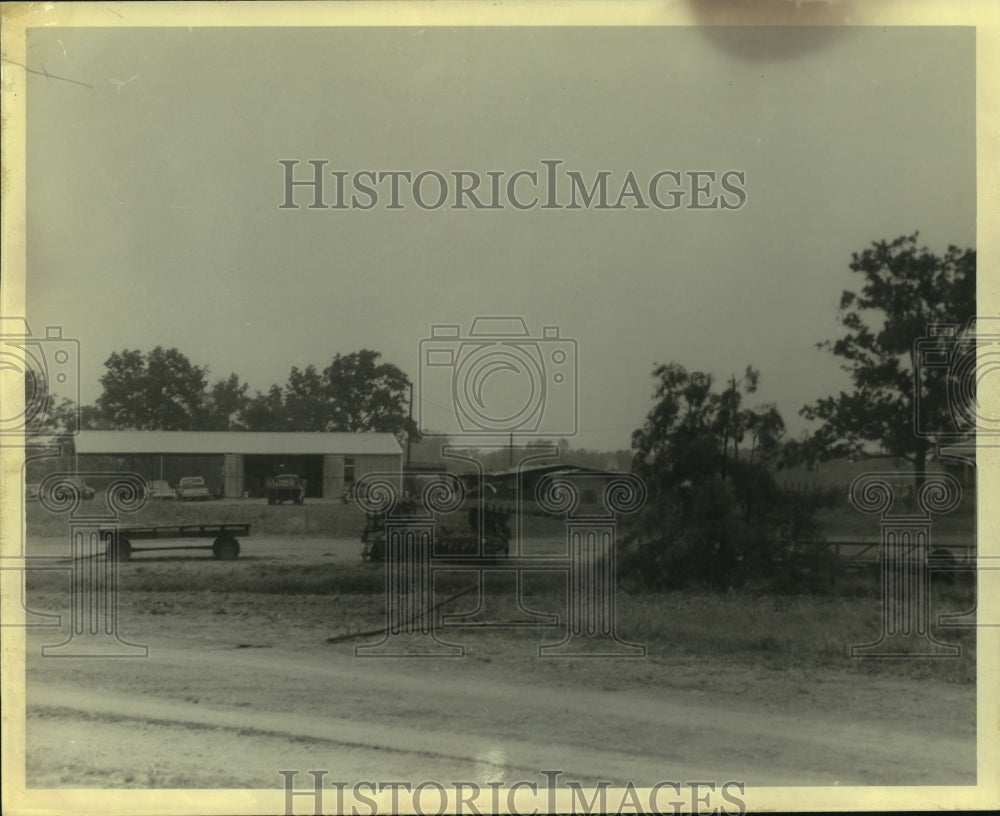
(246,442)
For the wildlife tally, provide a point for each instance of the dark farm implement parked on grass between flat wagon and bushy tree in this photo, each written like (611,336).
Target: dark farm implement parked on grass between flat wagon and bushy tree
(491,538)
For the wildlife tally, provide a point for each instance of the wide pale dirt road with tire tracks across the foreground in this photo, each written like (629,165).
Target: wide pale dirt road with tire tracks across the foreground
(216,715)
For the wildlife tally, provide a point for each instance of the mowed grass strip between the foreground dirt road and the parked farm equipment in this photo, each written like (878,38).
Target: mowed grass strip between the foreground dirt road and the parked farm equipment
(770,631)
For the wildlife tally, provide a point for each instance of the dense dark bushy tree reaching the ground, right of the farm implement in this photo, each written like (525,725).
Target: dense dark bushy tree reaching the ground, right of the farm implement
(714,513)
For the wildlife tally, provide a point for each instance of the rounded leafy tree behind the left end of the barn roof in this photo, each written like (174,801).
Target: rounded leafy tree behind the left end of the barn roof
(161,390)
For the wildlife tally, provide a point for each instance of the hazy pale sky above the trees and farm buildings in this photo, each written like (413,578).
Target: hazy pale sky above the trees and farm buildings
(154,193)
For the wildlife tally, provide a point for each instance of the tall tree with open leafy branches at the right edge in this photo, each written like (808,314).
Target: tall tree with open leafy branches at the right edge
(905,289)
